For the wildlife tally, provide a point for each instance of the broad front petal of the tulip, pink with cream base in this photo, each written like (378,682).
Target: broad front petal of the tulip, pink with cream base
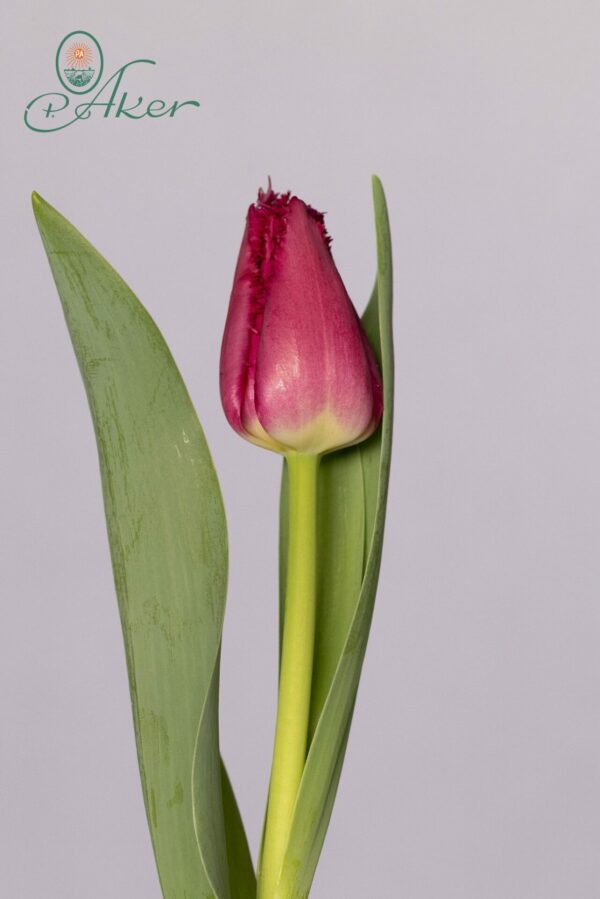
(313,377)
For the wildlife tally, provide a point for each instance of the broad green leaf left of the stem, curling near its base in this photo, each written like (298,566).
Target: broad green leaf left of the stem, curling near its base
(168,543)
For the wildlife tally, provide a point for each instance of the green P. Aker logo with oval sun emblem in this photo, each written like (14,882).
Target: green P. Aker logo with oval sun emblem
(80,70)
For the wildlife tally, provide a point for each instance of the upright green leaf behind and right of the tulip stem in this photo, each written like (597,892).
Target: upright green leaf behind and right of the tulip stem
(352,495)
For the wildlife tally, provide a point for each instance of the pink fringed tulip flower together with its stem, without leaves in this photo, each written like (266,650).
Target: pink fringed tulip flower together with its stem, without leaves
(297,376)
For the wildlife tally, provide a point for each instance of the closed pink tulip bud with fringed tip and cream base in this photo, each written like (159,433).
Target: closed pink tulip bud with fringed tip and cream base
(297,371)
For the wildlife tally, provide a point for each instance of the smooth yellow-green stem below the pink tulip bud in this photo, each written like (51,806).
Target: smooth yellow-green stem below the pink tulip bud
(295,675)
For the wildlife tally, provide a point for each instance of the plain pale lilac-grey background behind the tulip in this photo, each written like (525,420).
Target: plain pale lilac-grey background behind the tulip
(472,770)
